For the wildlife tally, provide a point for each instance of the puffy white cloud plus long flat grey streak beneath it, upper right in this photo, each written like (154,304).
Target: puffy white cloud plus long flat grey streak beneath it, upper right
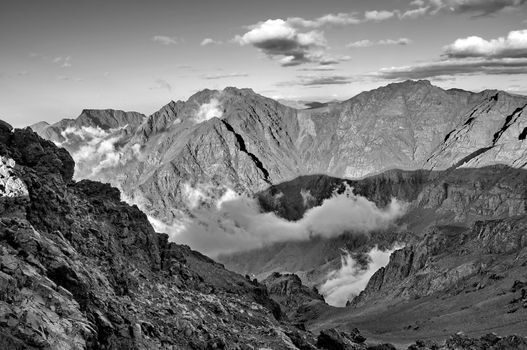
(470,56)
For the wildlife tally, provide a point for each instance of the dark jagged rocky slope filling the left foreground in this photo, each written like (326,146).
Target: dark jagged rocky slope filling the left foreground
(79,269)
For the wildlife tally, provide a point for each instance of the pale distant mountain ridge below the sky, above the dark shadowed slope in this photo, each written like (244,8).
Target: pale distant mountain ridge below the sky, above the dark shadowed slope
(244,141)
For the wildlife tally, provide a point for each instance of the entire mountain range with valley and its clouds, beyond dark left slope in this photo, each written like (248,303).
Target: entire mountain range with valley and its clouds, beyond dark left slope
(438,179)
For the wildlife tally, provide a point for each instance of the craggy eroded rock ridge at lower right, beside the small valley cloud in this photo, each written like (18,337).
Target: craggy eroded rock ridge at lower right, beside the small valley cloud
(450,259)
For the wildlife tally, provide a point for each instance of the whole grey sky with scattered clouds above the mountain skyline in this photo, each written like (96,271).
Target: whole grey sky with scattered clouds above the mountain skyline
(58,57)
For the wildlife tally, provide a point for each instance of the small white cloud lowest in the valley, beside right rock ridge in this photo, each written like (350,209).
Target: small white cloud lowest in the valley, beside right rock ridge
(348,281)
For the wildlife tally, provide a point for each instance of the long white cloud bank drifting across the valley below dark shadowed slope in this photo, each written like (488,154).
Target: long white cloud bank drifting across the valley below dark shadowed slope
(224,222)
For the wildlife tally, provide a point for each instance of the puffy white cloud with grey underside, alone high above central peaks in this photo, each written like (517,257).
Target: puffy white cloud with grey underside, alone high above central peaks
(284,42)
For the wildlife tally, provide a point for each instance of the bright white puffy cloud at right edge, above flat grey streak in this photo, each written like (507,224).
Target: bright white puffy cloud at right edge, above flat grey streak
(512,46)
